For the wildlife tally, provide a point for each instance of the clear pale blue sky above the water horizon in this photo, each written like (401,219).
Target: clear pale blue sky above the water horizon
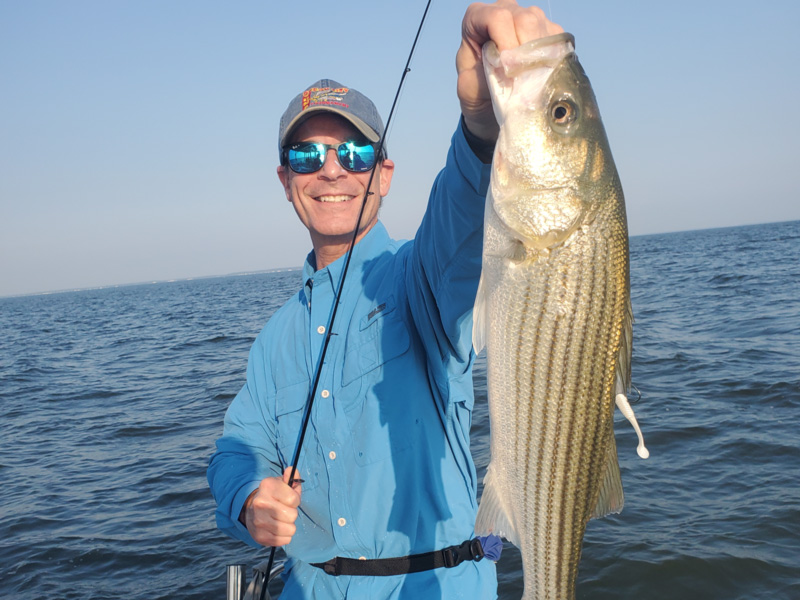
(138,138)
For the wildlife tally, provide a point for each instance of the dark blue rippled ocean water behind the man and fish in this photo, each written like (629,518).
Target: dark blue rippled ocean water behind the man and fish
(111,400)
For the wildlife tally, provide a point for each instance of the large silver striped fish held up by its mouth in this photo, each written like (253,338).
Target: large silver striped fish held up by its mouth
(553,311)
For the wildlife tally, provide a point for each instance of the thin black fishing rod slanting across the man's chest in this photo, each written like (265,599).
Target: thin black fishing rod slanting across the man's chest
(329,329)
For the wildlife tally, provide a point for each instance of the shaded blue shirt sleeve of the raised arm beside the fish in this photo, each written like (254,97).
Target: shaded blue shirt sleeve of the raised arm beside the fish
(445,267)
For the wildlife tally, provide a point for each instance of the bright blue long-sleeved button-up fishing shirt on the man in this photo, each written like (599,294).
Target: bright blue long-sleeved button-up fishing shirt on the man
(386,459)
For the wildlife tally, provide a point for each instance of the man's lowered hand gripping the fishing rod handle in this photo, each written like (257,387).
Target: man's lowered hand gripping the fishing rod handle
(270,511)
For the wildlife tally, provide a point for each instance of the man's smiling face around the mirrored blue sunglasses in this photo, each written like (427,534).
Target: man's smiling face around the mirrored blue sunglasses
(328,201)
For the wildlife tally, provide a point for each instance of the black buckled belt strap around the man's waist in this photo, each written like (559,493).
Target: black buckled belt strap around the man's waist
(447,558)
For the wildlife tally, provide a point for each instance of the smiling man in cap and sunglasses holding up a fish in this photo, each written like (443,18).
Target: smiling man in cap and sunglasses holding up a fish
(385,467)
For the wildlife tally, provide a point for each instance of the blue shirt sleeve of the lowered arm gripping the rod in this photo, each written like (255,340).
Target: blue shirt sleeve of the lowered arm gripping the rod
(246,453)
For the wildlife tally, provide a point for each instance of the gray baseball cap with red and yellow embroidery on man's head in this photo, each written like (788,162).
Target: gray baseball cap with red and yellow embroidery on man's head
(331,96)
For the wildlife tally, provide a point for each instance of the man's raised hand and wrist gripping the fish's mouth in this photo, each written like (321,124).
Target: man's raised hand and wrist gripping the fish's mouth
(508,25)
